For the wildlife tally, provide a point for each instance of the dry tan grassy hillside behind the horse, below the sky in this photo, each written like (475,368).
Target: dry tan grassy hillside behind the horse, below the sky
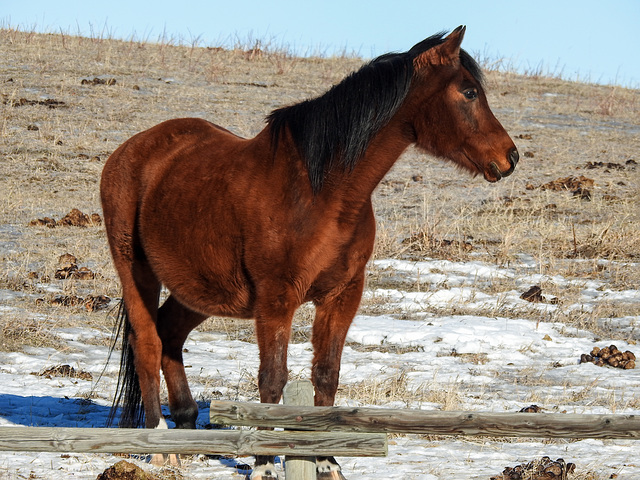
(67,102)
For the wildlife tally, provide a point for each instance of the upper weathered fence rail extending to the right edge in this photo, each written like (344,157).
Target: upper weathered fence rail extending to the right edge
(348,419)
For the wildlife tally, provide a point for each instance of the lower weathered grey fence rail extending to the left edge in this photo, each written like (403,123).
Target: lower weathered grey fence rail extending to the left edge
(223,442)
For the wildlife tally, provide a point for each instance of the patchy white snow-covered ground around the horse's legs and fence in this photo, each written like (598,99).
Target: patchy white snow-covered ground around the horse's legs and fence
(494,362)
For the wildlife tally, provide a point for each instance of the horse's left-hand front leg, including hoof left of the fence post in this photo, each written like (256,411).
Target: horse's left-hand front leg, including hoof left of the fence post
(273,329)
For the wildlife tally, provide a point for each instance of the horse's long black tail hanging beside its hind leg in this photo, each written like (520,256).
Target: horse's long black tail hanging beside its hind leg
(128,394)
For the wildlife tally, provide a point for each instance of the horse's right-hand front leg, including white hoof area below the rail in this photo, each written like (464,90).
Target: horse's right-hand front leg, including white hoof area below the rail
(333,319)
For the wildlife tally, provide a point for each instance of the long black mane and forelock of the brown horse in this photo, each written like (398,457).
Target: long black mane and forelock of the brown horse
(337,127)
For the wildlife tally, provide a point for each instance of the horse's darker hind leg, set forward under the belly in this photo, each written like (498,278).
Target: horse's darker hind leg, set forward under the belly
(175,321)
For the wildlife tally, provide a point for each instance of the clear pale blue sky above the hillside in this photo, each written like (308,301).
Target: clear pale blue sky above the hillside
(589,40)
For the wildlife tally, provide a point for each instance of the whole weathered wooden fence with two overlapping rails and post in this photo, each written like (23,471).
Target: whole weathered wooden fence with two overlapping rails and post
(310,431)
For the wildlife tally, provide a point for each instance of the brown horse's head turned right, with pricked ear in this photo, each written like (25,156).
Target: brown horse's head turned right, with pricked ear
(451,118)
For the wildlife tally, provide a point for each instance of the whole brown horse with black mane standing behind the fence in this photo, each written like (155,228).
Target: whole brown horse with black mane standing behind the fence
(254,228)
